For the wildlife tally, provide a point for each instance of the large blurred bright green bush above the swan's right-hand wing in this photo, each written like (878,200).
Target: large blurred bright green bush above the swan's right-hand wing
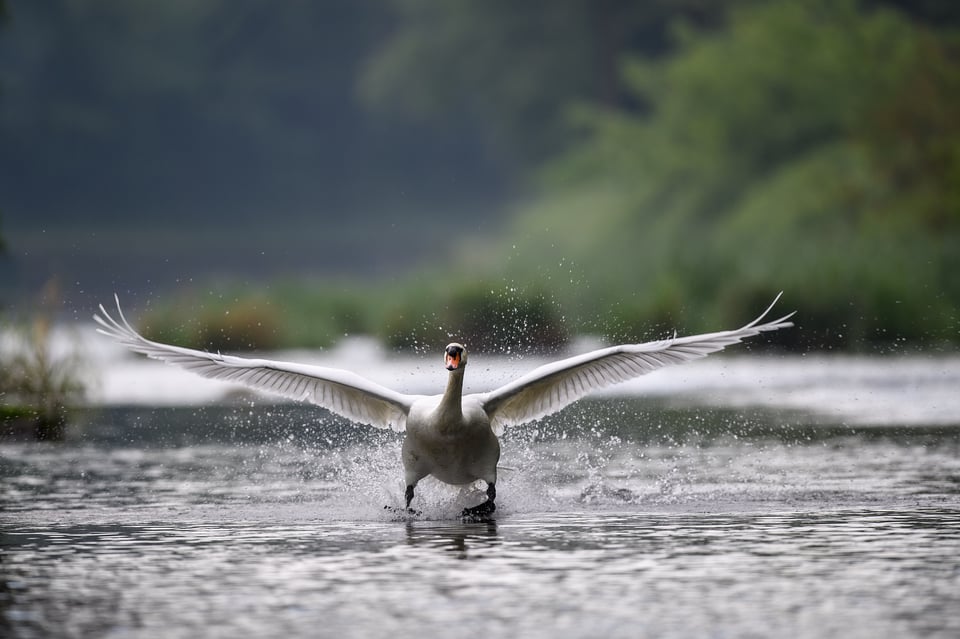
(810,146)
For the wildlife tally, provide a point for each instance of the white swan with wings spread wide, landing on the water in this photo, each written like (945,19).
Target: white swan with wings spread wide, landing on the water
(452,437)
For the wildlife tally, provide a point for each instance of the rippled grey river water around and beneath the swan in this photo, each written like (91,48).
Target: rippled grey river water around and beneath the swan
(821,501)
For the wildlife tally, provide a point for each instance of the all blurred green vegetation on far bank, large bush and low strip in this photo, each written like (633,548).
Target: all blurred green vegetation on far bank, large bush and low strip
(811,147)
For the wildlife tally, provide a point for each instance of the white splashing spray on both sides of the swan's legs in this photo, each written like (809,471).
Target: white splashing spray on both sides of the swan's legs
(544,467)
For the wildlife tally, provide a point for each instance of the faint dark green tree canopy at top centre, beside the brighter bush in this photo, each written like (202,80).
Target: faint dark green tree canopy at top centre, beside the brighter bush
(513,68)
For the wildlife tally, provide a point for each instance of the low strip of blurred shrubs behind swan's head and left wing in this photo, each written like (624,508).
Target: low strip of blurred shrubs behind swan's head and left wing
(417,314)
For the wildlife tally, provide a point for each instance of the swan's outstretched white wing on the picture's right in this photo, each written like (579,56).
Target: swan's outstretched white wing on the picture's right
(553,386)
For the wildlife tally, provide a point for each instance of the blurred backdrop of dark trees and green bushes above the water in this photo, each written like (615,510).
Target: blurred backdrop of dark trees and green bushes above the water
(248,174)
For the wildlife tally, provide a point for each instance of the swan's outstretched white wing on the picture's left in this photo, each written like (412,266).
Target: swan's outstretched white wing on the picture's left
(340,391)
